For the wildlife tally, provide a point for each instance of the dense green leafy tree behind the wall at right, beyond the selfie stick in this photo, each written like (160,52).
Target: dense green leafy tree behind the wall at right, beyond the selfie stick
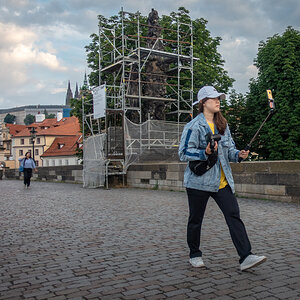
(278,63)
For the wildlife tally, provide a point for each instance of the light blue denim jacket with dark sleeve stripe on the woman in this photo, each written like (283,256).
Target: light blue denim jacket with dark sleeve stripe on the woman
(192,147)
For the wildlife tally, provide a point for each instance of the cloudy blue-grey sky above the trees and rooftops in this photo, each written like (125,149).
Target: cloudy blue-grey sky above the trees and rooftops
(42,41)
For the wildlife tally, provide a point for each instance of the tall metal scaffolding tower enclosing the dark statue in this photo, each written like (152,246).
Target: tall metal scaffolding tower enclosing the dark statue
(155,104)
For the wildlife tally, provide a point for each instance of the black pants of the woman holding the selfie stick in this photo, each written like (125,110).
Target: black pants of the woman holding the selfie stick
(229,206)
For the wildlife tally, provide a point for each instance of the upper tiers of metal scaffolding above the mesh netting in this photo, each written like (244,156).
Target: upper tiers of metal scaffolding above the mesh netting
(124,55)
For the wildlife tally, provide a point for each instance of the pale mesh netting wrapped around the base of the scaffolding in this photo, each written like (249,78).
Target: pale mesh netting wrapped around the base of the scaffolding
(153,140)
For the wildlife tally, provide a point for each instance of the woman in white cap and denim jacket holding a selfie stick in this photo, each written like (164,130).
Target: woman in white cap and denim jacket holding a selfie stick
(217,182)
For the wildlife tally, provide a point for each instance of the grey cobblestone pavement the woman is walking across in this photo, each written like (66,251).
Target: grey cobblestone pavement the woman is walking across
(60,241)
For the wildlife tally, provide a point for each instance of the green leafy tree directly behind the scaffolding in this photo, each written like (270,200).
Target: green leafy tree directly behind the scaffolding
(209,70)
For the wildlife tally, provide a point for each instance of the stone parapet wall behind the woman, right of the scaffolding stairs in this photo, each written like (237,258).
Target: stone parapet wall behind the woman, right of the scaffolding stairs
(273,180)
